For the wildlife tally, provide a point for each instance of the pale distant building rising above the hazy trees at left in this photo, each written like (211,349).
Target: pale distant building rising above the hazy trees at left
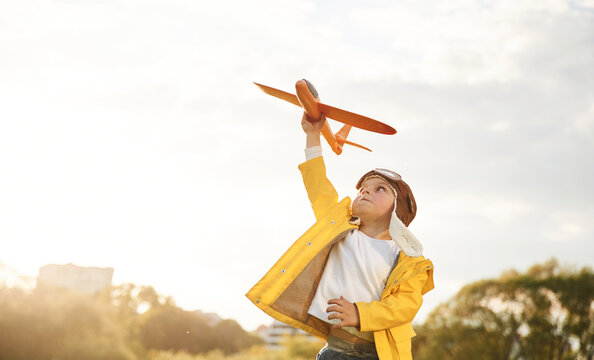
(70,276)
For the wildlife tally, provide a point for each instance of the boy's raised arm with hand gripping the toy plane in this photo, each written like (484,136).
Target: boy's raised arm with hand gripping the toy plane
(320,190)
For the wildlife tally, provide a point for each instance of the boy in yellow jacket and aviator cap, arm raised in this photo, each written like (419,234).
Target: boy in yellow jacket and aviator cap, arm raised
(357,276)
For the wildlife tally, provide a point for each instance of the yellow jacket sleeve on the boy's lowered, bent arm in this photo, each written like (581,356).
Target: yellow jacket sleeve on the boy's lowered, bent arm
(397,309)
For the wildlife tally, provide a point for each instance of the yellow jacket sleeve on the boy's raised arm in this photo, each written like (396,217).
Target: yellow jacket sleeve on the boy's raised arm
(320,190)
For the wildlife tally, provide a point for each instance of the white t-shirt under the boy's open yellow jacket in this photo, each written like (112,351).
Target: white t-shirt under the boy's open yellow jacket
(357,268)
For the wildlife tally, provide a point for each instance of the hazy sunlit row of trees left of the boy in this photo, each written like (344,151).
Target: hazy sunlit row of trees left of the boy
(56,323)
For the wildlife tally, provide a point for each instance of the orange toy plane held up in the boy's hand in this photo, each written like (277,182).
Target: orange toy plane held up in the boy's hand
(308,99)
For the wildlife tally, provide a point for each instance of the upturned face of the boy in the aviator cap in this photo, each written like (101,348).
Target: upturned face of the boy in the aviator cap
(375,200)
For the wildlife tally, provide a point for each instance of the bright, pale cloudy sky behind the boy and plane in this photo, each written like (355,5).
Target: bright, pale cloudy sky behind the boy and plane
(132,137)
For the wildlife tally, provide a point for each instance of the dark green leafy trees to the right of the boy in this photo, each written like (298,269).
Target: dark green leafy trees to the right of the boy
(546,313)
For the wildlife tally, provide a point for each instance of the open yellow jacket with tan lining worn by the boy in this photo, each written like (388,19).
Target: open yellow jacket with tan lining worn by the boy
(287,289)
